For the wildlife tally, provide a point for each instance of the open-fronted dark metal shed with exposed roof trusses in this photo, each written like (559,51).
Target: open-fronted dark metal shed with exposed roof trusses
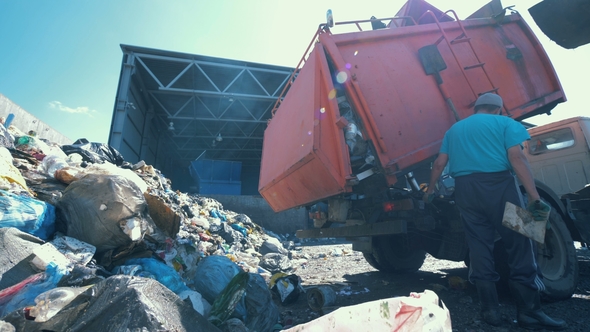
(174,108)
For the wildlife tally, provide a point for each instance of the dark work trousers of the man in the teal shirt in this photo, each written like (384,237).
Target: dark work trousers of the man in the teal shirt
(481,198)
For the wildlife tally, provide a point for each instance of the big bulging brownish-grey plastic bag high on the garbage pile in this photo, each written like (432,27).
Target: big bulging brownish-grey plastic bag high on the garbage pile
(98,209)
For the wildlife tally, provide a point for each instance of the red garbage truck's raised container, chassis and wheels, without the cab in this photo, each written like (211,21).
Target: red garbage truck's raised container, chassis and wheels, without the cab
(354,134)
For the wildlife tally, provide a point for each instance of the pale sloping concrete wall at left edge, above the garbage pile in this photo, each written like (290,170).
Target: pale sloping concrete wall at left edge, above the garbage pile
(25,121)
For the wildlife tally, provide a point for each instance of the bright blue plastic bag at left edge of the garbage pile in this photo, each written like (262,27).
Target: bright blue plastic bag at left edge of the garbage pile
(27,214)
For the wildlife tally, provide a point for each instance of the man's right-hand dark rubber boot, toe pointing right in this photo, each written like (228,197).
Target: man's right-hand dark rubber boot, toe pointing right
(528,305)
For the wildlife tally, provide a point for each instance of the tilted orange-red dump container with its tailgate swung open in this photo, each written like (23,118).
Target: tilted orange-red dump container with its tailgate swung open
(391,81)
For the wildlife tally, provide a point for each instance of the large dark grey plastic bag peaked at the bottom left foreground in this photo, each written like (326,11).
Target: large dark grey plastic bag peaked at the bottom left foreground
(121,303)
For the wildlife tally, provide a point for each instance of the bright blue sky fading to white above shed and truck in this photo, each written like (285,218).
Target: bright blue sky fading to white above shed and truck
(60,60)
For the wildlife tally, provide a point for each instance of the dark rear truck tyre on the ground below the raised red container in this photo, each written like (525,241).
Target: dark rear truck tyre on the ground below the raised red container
(389,257)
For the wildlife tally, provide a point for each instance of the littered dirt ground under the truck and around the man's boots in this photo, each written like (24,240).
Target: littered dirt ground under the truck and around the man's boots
(355,282)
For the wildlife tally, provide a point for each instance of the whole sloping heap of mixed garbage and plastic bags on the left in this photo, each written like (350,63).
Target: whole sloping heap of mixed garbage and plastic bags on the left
(92,242)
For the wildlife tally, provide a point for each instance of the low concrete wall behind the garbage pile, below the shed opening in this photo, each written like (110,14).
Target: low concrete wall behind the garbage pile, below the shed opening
(260,212)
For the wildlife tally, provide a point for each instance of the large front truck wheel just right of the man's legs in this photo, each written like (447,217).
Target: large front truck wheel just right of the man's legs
(558,262)
